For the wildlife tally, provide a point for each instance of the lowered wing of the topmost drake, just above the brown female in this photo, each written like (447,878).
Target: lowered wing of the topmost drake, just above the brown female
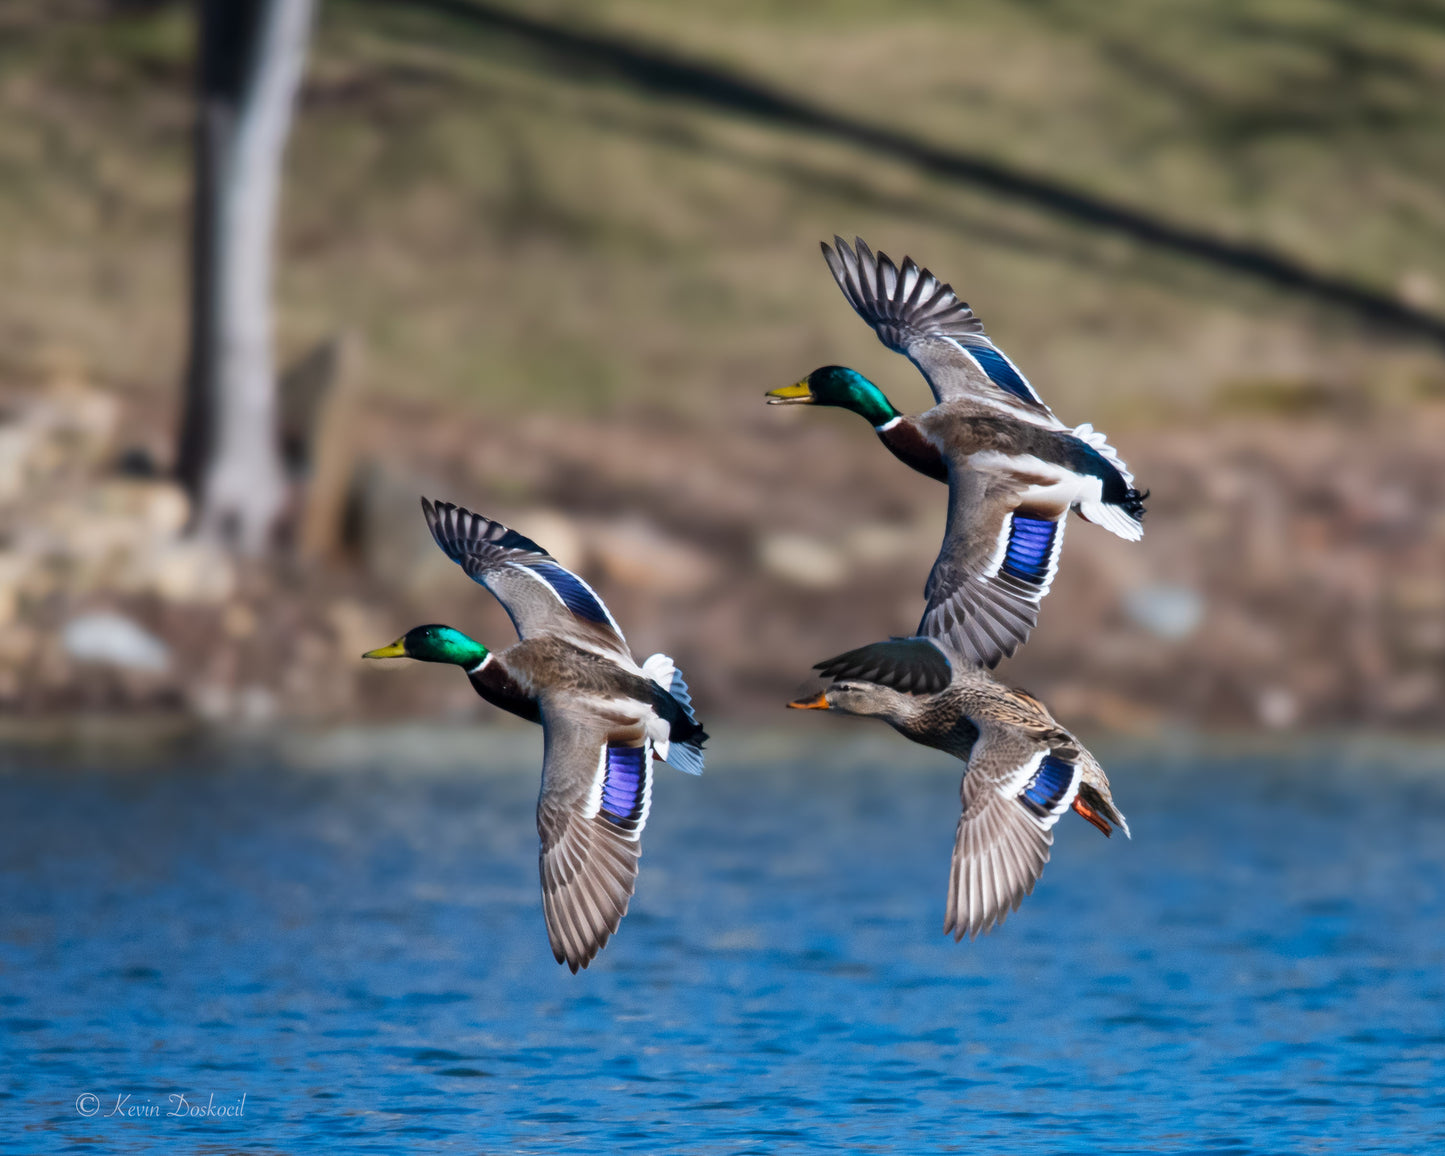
(996,564)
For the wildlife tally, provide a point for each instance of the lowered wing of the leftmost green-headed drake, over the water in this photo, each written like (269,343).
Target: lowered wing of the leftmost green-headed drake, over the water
(596,797)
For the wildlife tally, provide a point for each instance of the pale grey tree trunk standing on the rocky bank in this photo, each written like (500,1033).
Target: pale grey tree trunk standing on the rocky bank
(241,483)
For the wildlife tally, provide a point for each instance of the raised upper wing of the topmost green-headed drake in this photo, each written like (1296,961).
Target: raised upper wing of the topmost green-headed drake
(923,319)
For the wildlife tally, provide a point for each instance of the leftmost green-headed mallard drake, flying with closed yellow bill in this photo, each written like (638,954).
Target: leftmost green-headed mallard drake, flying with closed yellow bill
(603,719)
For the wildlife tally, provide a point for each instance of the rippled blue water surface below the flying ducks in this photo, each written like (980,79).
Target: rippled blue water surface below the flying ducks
(348,933)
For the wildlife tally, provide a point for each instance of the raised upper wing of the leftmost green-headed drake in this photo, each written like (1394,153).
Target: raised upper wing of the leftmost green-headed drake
(540,595)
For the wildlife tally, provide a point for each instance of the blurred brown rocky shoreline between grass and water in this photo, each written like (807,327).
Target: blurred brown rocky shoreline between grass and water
(1293,573)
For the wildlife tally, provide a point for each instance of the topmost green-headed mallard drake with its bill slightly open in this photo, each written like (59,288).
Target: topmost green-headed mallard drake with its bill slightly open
(1014,470)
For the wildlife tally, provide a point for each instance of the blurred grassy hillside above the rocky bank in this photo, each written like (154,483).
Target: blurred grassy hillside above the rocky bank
(512,220)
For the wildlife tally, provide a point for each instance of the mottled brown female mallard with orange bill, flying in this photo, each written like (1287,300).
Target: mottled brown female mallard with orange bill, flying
(1024,769)
